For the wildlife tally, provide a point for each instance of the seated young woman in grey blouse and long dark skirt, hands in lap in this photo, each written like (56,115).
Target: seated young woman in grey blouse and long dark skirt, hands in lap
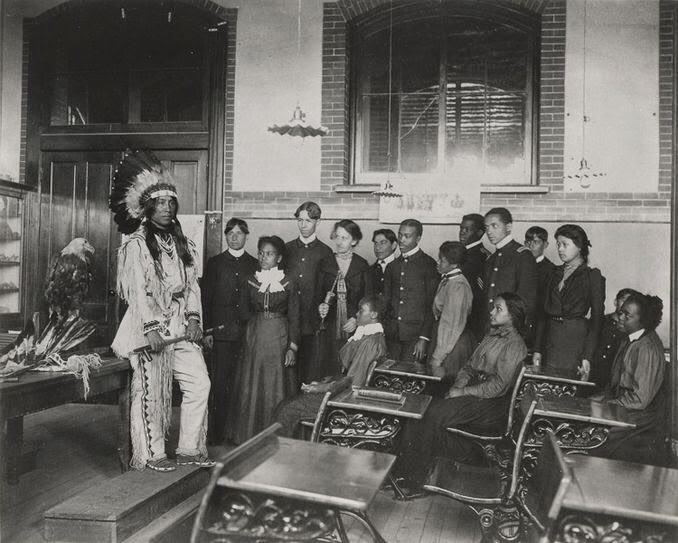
(478,398)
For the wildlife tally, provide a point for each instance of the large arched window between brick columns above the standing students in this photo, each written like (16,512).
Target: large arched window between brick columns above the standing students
(462,92)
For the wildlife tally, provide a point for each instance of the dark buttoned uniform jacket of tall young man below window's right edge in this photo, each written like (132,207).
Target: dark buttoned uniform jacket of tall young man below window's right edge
(512,269)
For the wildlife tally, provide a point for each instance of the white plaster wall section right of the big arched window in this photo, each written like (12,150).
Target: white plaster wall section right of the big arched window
(622,93)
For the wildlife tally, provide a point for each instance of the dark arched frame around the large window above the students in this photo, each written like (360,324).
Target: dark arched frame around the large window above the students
(373,22)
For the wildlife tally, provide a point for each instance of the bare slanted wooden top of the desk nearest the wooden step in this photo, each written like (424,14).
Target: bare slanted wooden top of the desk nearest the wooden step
(326,474)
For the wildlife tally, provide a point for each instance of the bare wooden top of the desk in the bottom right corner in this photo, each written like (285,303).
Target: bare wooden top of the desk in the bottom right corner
(625,489)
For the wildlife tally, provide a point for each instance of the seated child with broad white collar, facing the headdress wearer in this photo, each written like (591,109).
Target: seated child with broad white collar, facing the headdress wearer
(366,345)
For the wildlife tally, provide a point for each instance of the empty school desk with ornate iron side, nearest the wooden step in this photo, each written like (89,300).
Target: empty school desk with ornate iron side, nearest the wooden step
(273,488)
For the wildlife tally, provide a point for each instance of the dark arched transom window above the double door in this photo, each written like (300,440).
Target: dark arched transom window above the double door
(126,63)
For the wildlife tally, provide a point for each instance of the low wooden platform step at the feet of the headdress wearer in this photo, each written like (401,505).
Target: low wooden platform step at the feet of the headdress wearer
(115,510)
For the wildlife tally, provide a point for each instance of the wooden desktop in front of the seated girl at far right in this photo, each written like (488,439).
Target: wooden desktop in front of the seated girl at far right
(586,410)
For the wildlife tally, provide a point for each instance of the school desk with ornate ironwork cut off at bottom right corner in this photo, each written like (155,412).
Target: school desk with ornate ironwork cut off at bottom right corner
(607,499)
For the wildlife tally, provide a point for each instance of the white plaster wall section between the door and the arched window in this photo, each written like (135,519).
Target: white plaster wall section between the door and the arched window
(270,79)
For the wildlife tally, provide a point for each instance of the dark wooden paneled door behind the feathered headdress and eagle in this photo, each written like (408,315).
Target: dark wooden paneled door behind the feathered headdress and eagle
(75,188)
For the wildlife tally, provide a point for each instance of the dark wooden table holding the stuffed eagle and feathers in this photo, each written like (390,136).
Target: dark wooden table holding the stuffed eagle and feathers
(37,391)
